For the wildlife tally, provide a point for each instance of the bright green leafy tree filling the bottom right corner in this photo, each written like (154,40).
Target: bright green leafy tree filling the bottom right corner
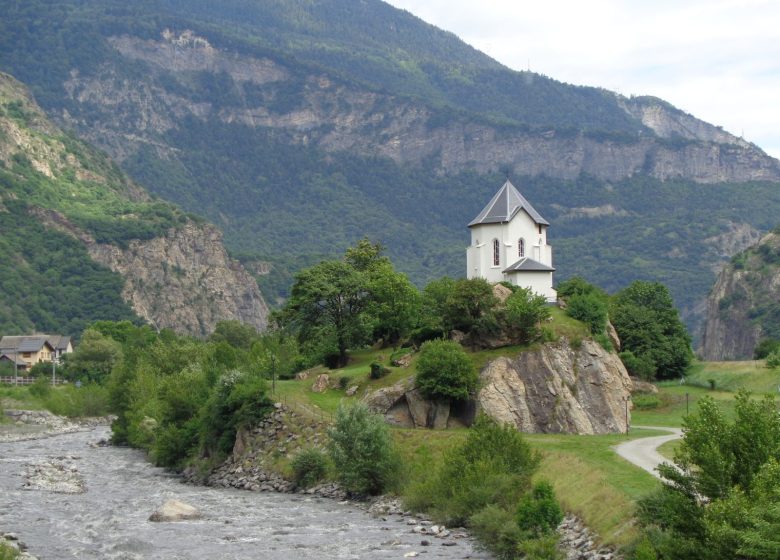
(721,500)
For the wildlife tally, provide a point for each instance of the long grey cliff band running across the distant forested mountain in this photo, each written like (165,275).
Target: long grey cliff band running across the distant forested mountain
(337,117)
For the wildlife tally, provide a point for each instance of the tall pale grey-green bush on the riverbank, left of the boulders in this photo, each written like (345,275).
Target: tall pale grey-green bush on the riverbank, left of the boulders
(362,451)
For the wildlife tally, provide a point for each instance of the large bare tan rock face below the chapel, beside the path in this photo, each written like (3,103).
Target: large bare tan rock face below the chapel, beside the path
(558,388)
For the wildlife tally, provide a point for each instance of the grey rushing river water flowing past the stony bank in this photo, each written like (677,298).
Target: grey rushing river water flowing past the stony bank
(110,520)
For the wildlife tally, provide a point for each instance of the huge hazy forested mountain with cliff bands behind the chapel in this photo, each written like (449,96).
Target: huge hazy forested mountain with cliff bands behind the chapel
(299,127)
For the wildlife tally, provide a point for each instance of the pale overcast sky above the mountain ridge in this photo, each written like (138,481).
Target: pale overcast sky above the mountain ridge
(716,59)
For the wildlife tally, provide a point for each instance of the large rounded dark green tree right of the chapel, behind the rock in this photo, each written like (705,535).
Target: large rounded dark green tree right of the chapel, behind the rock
(649,326)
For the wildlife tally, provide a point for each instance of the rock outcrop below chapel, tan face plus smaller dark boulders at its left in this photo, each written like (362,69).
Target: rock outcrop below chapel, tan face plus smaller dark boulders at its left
(555,389)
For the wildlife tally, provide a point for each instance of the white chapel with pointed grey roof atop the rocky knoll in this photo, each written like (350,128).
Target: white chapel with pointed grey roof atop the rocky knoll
(509,242)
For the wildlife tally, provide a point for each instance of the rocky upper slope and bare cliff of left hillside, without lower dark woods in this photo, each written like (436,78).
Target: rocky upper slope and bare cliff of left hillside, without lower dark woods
(182,279)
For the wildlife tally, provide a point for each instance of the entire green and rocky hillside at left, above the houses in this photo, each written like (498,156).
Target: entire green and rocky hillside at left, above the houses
(80,242)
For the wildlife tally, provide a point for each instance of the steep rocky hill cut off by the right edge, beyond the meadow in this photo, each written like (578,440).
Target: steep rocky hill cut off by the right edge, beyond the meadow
(744,304)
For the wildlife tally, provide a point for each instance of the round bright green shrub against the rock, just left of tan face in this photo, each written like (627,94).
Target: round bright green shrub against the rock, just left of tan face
(444,371)
